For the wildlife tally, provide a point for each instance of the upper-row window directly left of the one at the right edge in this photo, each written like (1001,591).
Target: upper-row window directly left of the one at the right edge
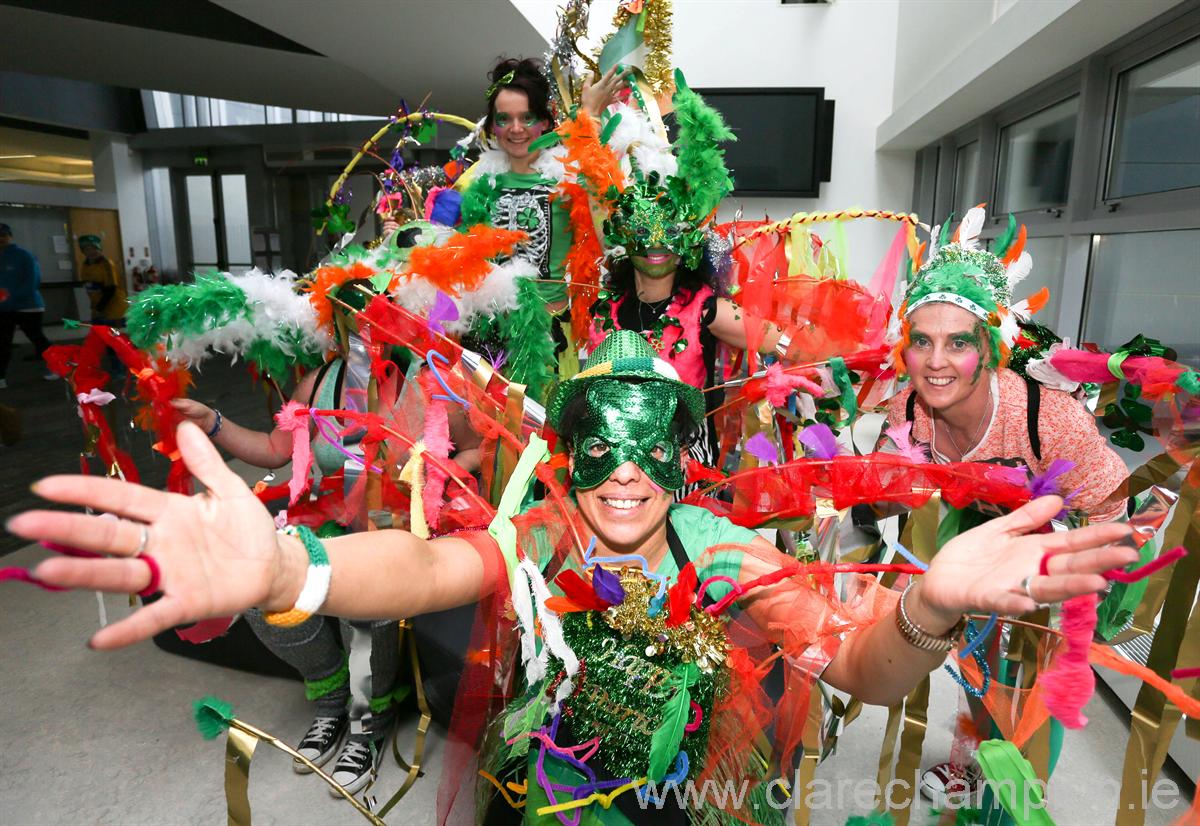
(1035,159)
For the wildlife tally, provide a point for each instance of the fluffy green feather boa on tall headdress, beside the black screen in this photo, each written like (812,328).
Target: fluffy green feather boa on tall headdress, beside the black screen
(703,178)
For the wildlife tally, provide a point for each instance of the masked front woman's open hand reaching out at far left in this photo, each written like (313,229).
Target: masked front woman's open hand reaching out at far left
(218,552)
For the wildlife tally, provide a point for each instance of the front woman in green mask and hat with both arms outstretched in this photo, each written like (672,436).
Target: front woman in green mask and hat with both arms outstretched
(625,420)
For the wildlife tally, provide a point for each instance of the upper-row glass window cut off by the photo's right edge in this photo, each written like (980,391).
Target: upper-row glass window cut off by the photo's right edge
(1156,145)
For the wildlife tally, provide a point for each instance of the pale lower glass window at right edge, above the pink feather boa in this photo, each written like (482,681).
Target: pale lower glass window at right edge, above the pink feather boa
(1147,283)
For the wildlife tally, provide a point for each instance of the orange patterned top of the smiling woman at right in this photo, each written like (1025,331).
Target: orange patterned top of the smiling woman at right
(1066,429)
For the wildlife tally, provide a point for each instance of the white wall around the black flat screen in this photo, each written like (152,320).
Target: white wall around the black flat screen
(848,47)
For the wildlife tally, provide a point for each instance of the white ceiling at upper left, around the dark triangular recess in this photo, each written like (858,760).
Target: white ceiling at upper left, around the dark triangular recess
(371,53)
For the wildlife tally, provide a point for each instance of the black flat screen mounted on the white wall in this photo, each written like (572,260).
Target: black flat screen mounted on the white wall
(785,140)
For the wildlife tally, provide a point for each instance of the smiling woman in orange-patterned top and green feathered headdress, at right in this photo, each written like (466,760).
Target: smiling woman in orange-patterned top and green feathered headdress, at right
(957,334)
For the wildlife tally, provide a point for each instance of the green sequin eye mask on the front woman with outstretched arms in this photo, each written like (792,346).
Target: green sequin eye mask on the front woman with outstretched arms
(628,422)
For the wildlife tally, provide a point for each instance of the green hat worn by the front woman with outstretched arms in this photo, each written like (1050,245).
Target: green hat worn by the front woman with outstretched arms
(625,355)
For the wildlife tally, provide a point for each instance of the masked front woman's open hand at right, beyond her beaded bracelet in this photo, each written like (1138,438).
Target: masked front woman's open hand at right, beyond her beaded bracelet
(986,568)
